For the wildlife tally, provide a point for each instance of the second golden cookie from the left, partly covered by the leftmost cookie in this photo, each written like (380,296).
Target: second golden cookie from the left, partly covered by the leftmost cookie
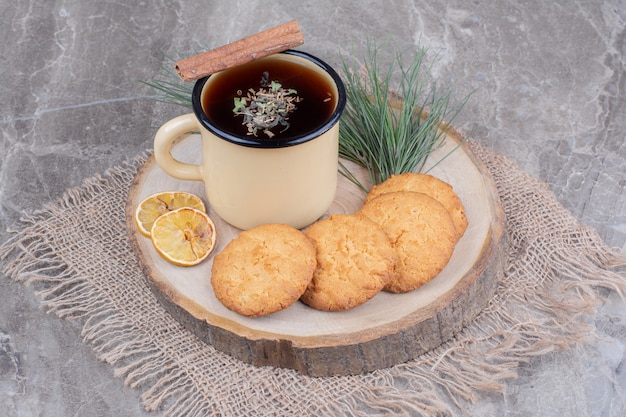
(355,260)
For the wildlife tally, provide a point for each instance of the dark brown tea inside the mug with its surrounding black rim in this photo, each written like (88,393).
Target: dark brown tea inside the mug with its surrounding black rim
(320,90)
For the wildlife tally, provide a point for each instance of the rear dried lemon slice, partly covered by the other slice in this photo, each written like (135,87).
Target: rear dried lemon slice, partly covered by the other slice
(158,204)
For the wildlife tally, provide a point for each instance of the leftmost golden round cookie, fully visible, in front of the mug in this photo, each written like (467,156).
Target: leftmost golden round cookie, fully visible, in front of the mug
(263,270)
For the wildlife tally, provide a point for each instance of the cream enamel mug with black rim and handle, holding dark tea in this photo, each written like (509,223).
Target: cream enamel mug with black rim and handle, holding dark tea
(249,180)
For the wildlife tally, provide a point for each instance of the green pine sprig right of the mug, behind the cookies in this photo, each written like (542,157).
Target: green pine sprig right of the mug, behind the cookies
(391,128)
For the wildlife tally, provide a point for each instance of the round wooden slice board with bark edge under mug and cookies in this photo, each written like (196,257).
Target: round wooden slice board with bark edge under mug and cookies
(387,330)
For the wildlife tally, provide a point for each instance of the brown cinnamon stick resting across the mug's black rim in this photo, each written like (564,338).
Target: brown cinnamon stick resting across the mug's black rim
(259,45)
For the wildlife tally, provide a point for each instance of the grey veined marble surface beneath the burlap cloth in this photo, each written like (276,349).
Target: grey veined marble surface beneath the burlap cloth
(550,85)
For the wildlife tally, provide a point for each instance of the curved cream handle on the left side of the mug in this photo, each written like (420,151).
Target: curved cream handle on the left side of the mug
(163,140)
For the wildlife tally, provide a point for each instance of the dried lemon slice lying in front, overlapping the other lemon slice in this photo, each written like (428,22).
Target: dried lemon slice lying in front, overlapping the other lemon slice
(184,237)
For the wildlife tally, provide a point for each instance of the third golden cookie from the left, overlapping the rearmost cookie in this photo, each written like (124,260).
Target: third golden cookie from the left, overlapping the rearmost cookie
(421,231)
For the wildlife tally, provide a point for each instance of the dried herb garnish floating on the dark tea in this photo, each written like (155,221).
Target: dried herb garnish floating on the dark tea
(267,107)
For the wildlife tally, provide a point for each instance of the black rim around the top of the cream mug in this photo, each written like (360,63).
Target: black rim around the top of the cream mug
(268,143)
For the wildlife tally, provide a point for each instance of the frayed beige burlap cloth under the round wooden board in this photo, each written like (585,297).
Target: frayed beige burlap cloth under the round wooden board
(76,254)
